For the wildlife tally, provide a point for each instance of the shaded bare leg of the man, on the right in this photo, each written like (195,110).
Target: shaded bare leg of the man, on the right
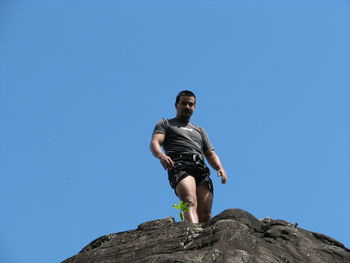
(204,203)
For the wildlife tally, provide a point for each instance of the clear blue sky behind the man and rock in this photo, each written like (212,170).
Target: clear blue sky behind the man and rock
(84,82)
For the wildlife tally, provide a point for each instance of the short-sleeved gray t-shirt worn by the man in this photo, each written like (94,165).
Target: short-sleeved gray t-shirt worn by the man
(182,138)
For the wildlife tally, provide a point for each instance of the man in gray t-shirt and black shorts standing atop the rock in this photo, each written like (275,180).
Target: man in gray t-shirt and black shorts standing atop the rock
(185,144)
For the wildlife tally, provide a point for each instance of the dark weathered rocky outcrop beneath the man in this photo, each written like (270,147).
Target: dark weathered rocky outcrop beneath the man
(232,236)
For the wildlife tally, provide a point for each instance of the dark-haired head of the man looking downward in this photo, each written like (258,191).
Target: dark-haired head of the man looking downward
(185,105)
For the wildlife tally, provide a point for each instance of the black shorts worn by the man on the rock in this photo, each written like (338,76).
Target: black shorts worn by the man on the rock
(192,165)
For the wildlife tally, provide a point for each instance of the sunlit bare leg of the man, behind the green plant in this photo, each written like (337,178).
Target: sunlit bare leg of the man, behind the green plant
(186,190)
